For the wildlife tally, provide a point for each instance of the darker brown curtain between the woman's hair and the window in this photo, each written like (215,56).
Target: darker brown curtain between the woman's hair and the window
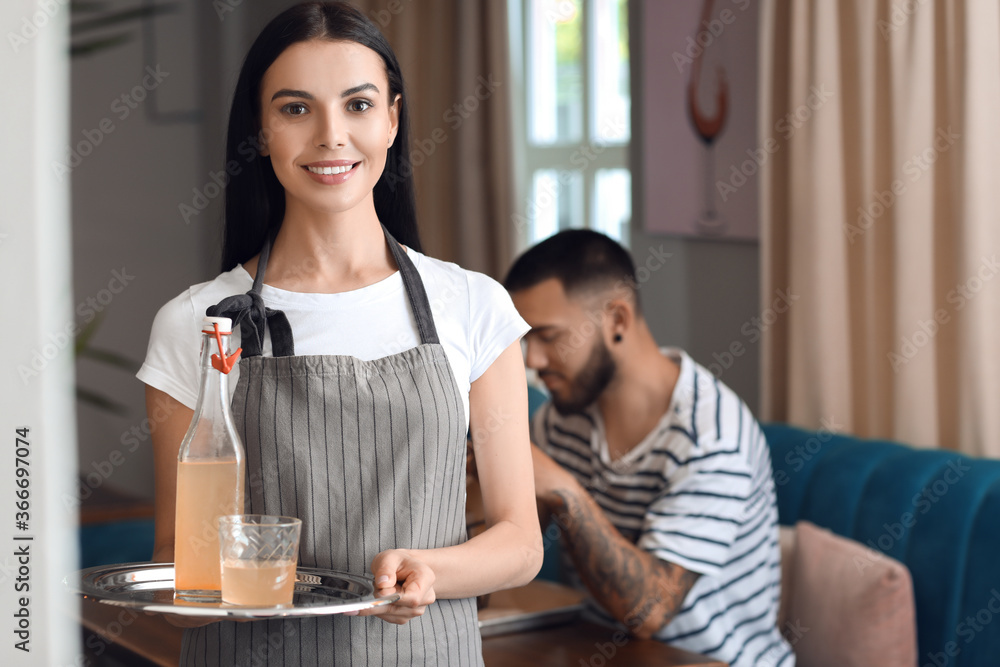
(454,55)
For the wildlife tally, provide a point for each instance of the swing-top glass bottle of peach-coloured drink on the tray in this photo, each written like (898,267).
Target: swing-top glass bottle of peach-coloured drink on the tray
(210,470)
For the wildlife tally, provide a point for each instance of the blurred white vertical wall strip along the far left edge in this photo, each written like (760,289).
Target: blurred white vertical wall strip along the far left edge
(36,376)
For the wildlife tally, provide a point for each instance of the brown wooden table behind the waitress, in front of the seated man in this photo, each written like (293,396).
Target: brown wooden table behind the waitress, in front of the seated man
(141,639)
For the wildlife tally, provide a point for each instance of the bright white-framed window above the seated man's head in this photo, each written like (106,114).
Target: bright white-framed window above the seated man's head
(572,116)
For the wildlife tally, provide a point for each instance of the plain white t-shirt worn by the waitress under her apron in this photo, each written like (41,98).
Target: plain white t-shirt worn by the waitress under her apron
(475,318)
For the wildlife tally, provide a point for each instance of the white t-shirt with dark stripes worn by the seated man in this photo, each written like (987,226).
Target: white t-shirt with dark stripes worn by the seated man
(697,492)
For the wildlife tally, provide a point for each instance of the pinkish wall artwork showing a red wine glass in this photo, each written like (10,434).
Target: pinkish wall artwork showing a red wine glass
(701,155)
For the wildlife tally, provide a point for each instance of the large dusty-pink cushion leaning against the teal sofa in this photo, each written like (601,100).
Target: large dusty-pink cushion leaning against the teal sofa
(849,606)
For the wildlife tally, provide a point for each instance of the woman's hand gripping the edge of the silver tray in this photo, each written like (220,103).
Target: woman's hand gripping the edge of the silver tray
(399,571)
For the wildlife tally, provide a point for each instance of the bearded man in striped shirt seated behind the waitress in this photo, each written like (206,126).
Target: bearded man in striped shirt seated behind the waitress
(657,474)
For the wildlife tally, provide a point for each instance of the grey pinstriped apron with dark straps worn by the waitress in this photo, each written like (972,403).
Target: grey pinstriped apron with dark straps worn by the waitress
(371,456)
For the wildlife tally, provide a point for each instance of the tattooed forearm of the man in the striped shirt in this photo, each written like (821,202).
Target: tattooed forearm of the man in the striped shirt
(638,589)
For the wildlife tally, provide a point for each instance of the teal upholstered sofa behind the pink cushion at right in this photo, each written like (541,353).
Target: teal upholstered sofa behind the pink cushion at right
(936,511)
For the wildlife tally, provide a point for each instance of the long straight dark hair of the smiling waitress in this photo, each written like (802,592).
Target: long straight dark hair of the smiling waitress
(255,199)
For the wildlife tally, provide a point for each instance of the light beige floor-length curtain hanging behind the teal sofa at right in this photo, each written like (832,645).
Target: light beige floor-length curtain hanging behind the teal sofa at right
(880,218)
